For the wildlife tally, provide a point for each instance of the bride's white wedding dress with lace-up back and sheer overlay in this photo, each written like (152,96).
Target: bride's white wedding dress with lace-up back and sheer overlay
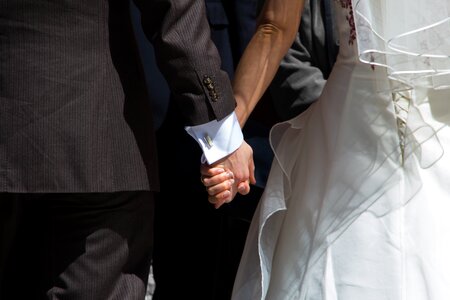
(357,206)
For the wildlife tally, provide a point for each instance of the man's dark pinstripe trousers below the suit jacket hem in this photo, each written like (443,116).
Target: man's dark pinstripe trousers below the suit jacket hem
(75,246)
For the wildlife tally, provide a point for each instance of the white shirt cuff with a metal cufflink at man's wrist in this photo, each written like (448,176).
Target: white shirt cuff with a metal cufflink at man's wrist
(217,138)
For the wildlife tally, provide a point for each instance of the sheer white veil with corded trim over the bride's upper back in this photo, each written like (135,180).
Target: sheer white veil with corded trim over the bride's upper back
(409,37)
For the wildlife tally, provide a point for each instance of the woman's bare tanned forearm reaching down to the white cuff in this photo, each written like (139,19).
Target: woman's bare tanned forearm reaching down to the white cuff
(277,26)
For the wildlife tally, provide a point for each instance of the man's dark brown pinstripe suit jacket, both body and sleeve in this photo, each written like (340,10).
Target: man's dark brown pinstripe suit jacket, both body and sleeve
(74,113)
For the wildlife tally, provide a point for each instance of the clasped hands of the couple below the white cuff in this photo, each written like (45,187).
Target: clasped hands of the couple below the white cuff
(229,176)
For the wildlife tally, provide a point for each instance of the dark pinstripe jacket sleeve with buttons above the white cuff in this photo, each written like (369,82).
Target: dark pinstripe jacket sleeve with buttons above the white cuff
(188,58)
